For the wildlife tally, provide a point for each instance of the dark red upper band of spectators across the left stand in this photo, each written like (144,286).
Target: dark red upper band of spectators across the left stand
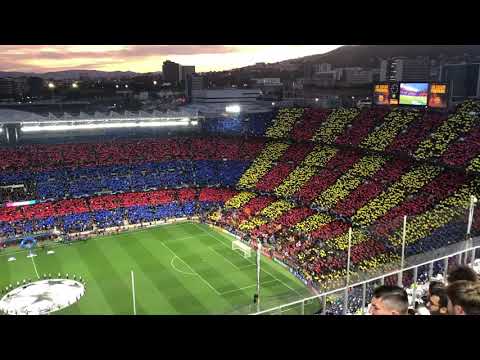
(32,158)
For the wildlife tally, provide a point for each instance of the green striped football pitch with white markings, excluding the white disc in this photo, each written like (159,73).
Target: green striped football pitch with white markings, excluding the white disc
(182,268)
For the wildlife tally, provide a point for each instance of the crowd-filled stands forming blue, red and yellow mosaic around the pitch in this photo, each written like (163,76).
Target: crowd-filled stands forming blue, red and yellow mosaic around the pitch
(305,178)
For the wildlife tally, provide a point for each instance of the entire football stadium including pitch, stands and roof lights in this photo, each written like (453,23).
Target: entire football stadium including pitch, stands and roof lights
(287,210)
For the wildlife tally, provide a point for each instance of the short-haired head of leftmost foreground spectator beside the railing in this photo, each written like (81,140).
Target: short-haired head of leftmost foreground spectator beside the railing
(389,300)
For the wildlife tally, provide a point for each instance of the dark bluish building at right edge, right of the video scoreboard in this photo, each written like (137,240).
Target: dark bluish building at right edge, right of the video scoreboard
(463,80)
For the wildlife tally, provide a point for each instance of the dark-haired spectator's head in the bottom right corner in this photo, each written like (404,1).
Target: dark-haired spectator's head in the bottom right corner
(464,298)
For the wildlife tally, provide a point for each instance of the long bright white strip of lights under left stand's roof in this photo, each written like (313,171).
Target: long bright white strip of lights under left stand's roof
(28,128)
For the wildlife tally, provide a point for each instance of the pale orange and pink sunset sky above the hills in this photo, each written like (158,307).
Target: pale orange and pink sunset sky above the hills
(146,58)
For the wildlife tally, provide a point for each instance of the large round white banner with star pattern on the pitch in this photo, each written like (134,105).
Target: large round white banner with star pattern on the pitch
(42,297)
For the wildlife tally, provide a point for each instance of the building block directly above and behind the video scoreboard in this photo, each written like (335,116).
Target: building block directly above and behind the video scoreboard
(404,69)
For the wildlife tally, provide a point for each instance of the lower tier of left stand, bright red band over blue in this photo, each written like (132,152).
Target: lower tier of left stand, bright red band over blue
(110,210)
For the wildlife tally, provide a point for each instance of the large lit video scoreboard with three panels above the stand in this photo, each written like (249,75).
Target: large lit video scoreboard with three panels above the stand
(434,95)
